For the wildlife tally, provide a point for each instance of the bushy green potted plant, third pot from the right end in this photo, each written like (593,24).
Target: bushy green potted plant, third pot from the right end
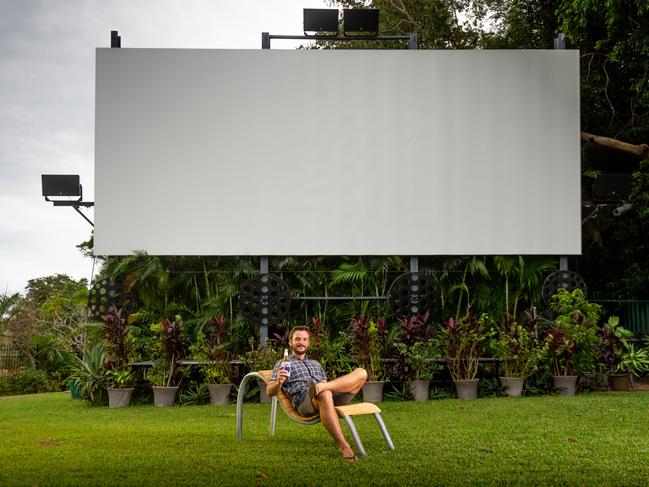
(519,354)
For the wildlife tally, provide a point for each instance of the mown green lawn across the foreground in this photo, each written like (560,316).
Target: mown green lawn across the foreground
(591,439)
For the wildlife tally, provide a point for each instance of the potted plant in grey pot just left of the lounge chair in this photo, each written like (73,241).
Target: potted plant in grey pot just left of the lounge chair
(216,368)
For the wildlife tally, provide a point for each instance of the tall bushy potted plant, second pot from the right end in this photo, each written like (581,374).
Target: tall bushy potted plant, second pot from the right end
(571,340)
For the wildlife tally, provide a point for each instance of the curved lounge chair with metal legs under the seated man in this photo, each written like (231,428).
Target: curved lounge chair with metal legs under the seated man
(345,412)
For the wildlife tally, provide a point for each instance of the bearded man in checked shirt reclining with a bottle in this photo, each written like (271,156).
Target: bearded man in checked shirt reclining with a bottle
(309,390)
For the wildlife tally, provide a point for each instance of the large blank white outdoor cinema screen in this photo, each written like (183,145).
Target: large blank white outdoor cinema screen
(348,152)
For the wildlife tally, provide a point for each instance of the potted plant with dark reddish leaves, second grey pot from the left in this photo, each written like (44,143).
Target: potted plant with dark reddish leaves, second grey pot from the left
(165,375)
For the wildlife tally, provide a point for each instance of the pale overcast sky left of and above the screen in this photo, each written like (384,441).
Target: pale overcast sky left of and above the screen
(47,77)
